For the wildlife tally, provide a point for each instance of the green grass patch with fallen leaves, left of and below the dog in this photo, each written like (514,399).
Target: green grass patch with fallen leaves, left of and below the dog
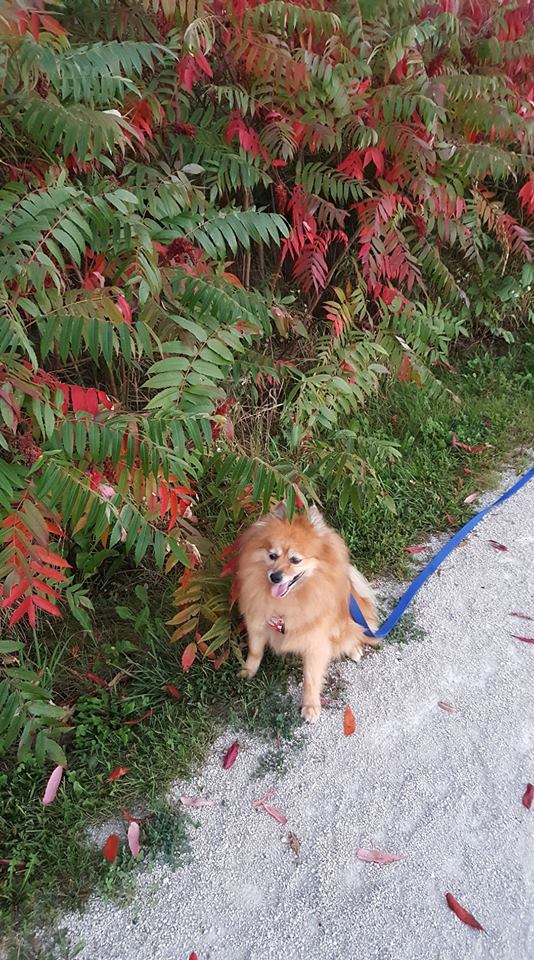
(52,865)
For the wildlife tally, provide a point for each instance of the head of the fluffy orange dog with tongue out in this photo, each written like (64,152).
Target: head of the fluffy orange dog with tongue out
(289,552)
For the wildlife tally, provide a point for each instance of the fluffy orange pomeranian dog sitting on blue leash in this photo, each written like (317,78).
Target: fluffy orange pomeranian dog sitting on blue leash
(295,580)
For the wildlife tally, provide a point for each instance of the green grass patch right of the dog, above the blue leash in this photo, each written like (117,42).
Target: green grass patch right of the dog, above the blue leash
(429,483)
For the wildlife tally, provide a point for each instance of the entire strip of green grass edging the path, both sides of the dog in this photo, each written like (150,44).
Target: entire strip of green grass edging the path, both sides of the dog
(50,864)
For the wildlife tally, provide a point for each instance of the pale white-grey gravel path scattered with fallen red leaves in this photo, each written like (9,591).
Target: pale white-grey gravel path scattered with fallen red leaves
(442,788)
